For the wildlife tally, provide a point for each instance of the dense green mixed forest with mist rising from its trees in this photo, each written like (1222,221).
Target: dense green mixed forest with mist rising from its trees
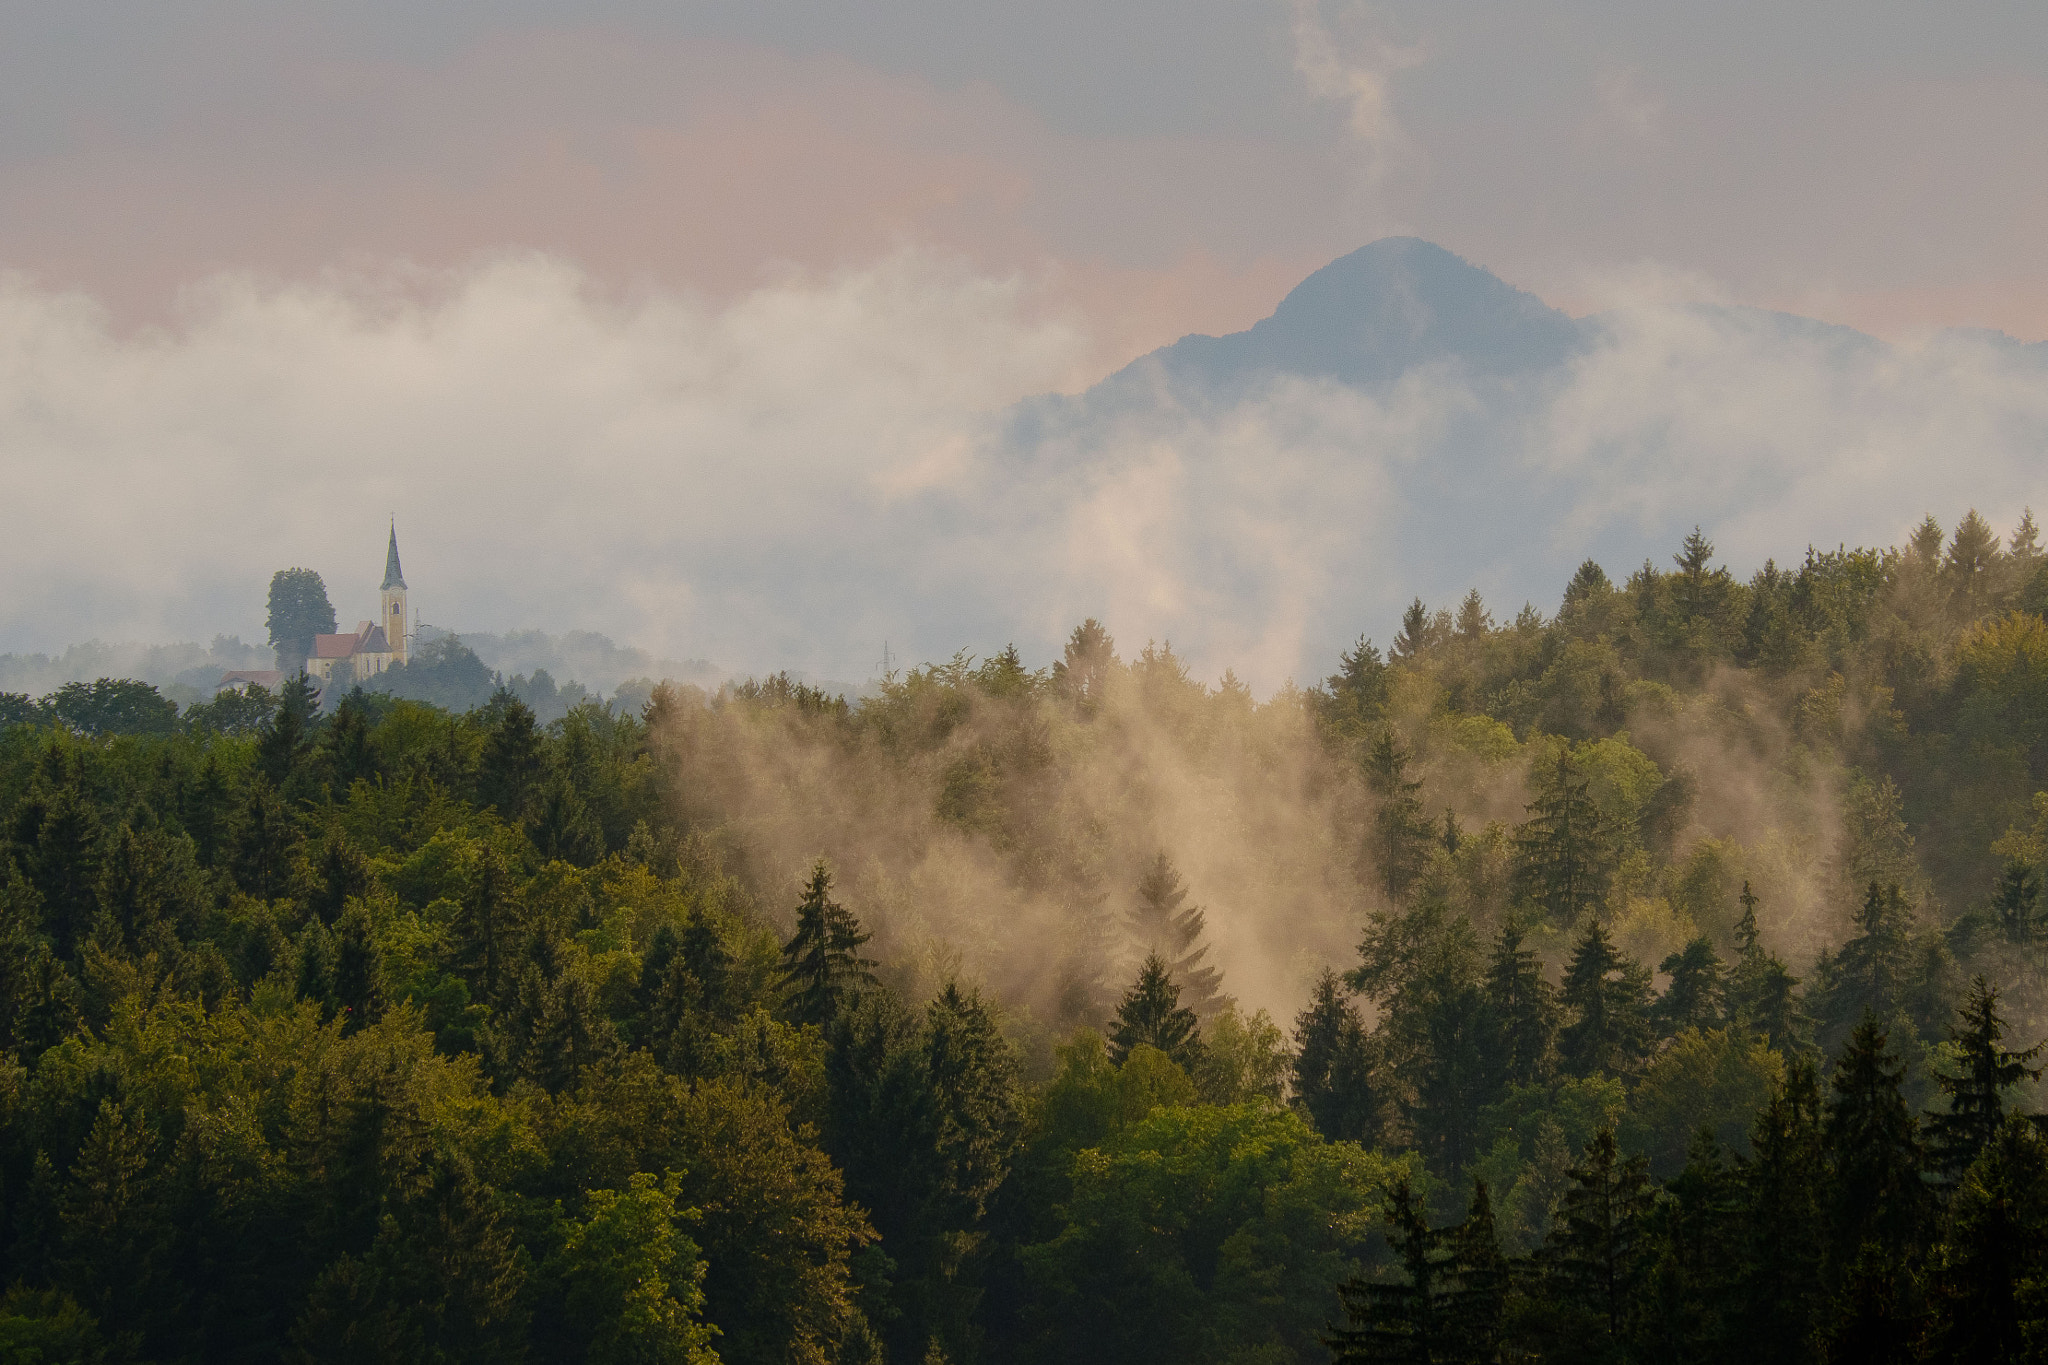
(1660,979)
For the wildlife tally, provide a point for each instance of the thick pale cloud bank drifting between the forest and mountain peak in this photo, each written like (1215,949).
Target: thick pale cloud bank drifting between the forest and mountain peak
(796,476)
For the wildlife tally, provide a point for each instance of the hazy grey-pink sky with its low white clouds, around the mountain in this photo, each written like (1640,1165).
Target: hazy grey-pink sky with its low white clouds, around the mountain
(687,322)
